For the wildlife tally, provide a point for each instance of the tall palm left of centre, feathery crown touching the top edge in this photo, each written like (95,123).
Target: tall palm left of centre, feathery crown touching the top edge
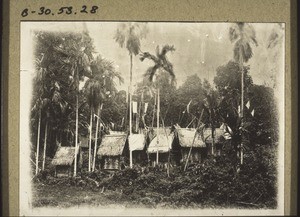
(130,35)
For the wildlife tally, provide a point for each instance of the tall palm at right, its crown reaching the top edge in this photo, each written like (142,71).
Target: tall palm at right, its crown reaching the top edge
(242,35)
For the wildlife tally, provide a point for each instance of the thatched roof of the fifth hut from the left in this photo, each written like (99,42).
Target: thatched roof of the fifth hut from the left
(186,137)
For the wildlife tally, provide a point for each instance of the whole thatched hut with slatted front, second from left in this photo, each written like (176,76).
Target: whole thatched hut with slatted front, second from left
(112,151)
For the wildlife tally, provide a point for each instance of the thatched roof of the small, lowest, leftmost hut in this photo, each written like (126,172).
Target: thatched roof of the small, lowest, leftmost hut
(64,156)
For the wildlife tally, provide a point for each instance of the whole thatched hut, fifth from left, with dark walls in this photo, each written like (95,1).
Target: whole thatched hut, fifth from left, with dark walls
(189,138)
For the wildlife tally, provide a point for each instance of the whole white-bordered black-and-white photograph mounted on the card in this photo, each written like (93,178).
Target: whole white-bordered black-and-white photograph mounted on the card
(151,118)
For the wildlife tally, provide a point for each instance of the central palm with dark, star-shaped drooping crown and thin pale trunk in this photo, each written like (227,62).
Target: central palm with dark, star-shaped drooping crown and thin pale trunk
(161,63)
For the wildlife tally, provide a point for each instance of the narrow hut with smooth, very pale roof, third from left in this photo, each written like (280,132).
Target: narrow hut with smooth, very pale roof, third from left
(137,144)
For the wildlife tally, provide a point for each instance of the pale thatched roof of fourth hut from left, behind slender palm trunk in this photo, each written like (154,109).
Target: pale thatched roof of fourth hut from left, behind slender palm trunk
(165,140)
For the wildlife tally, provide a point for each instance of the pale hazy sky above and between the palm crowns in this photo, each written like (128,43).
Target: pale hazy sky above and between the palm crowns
(200,47)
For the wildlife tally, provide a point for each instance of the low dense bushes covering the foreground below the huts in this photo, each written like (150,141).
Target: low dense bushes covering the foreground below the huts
(213,183)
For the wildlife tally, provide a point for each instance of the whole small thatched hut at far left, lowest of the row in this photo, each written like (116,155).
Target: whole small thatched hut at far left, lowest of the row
(64,161)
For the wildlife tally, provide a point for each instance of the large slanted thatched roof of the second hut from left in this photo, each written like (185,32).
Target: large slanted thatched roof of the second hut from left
(112,145)
